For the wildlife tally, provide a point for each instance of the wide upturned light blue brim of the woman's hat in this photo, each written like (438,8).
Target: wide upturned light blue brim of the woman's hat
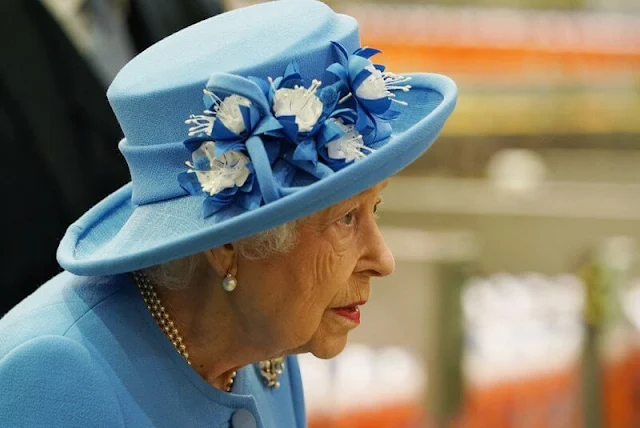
(117,236)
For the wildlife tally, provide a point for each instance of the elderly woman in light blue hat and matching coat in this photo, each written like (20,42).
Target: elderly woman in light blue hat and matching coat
(247,235)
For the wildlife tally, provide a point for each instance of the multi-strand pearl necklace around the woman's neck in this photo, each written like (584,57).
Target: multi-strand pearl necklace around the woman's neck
(164,321)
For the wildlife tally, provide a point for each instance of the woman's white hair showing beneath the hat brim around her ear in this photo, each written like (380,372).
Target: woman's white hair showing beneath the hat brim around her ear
(178,274)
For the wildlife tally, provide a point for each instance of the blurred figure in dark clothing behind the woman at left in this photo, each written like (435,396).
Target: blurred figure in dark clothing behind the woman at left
(57,130)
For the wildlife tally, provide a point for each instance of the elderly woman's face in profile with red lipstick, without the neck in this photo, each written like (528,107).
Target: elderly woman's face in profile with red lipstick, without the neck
(289,301)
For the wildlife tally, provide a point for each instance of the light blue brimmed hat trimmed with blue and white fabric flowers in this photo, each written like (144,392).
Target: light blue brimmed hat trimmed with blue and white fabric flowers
(245,121)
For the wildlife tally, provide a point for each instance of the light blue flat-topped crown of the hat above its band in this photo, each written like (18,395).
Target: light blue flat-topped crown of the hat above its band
(161,87)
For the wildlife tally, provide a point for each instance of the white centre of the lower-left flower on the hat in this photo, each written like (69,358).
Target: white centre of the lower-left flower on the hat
(226,171)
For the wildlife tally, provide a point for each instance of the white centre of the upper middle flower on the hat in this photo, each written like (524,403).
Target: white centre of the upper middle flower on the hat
(301,103)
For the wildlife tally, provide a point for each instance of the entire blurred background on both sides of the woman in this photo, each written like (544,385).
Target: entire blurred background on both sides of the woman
(516,298)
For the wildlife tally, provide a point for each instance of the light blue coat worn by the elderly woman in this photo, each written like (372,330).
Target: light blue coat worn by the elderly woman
(85,352)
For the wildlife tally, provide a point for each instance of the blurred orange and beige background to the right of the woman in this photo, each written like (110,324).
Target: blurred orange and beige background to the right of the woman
(514,302)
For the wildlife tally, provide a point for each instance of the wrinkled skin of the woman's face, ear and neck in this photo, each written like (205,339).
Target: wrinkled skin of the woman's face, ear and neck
(284,303)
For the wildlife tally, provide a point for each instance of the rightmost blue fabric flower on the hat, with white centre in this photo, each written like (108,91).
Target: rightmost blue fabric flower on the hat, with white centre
(369,89)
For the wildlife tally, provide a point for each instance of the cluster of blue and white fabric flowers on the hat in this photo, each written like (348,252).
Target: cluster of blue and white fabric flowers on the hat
(312,128)
